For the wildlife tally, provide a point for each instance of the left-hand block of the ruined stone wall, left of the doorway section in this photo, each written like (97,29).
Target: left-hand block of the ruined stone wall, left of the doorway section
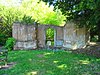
(25,36)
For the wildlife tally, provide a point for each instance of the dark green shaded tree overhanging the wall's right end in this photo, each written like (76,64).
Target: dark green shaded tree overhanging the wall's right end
(86,11)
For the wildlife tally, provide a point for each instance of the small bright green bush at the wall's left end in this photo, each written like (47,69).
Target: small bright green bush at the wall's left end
(10,43)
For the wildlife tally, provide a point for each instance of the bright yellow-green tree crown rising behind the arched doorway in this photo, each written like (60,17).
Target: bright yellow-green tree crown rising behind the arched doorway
(42,12)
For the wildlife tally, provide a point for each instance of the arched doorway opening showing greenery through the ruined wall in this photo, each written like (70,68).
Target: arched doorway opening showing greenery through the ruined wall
(50,37)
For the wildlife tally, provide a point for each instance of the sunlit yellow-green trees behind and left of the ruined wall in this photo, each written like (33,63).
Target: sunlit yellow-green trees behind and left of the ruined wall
(28,12)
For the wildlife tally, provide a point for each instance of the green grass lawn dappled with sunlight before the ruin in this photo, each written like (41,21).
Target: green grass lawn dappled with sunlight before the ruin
(45,62)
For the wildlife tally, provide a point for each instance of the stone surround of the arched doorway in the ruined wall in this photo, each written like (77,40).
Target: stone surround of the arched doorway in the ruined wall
(42,35)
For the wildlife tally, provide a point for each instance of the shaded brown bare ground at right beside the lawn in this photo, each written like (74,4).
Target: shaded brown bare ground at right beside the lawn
(92,49)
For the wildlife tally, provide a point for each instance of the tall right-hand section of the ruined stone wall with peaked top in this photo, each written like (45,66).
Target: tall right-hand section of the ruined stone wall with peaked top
(74,37)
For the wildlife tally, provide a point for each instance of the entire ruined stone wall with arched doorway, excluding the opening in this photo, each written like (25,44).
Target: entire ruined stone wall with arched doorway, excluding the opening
(34,36)
